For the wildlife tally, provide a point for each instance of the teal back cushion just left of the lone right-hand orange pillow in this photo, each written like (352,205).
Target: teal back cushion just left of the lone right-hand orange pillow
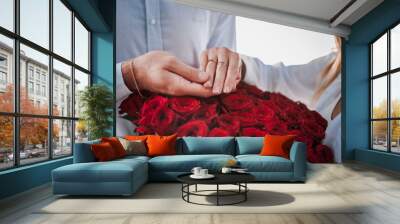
(249,145)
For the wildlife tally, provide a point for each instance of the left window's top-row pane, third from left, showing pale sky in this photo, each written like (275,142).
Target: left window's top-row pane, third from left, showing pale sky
(62,29)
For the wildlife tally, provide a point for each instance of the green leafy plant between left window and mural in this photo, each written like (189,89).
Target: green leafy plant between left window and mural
(96,102)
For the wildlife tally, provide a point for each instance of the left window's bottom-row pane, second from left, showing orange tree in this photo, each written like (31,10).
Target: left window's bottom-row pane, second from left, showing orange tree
(33,139)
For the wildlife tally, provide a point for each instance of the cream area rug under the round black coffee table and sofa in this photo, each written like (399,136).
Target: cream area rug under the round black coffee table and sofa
(166,198)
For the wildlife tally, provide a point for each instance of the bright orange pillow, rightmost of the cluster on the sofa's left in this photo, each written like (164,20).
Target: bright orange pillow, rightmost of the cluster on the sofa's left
(161,145)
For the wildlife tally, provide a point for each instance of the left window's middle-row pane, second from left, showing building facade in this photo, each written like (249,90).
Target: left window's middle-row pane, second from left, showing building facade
(34,96)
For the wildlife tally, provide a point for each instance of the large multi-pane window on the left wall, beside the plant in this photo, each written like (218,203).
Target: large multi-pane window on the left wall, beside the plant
(34,128)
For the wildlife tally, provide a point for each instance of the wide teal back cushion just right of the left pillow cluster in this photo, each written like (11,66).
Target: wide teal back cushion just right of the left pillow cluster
(207,145)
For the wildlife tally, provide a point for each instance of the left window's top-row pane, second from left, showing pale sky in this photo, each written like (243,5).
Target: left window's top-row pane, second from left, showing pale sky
(34,16)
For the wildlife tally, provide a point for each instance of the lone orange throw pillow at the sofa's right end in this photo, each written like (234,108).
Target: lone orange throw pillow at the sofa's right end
(277,145)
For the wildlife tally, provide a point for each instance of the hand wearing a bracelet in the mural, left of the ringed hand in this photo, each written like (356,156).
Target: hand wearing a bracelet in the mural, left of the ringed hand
(161,72)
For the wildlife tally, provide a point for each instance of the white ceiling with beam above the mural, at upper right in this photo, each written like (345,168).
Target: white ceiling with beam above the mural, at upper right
(315,15)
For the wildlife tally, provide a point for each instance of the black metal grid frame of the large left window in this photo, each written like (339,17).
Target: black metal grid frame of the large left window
(16,115)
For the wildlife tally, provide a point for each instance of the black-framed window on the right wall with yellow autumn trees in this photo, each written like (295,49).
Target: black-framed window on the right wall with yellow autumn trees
(385,91)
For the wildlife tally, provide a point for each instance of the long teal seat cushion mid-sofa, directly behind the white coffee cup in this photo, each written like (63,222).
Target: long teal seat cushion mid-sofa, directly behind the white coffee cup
(185,163)
